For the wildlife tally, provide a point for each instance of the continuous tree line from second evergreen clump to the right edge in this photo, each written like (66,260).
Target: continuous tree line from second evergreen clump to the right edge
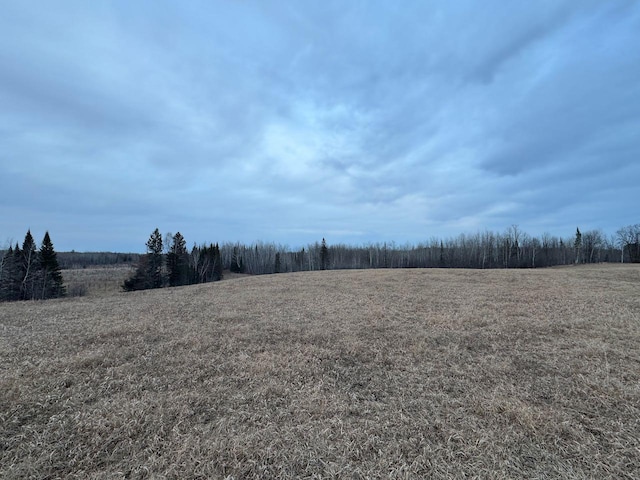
(514,248)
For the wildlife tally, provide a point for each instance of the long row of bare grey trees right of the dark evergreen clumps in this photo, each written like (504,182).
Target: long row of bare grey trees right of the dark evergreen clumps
(513,248)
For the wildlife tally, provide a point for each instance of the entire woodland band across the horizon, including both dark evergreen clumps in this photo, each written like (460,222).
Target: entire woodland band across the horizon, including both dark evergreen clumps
(29,273)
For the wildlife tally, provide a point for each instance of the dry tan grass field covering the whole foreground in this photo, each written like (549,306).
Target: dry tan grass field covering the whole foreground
(335,374)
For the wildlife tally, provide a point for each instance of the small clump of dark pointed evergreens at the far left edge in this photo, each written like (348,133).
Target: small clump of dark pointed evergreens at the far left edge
(29,273)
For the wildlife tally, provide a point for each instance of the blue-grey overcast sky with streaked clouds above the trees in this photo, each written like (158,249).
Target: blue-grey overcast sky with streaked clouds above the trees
(287,122)
